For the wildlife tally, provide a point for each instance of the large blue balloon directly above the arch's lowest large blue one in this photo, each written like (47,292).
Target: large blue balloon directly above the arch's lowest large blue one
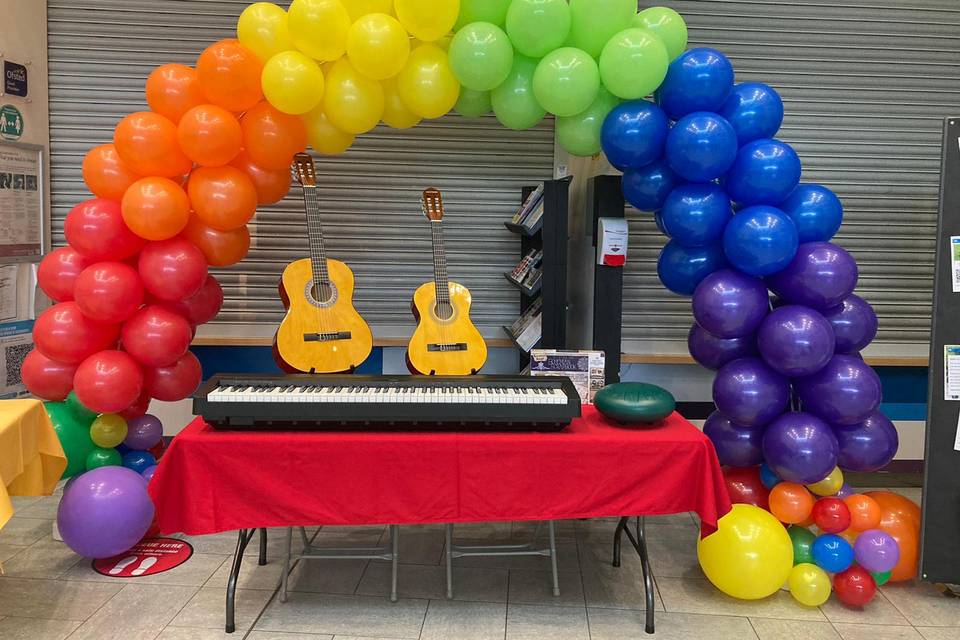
(695,214)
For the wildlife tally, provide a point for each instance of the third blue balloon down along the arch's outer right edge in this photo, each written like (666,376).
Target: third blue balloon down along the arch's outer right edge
(765,172)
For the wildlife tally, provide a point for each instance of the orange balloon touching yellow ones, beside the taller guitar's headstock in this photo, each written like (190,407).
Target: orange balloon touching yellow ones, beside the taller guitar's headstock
(271,137)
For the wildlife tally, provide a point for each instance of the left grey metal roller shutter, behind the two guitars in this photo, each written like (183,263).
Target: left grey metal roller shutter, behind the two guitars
(100,55)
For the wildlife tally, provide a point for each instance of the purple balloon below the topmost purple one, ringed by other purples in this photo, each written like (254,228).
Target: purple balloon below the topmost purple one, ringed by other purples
(795,341)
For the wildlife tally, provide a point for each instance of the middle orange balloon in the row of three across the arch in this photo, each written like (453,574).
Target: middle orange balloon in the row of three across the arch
(210,135)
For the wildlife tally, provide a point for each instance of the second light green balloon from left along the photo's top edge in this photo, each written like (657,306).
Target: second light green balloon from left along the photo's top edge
(537,27)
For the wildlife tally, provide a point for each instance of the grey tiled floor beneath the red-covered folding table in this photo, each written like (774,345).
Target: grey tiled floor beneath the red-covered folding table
(48,593)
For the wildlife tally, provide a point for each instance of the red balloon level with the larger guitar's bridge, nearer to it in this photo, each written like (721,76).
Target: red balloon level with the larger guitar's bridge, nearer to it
(156,336)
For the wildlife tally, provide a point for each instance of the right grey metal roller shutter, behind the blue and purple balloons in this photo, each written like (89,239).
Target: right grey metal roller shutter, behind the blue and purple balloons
(866,86)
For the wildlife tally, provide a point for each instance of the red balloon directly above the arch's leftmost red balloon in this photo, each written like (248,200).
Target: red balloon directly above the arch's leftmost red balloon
(64,334)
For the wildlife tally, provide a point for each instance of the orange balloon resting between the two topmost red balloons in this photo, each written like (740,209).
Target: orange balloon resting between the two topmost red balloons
(155,208)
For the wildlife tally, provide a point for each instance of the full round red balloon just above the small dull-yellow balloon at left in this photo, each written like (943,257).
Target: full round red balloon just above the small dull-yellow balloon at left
(108,381)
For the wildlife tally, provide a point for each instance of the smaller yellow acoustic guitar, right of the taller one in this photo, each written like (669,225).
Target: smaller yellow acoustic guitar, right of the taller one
(445,341)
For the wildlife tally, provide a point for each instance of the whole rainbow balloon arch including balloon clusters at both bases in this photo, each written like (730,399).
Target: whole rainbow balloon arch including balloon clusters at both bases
(796,404)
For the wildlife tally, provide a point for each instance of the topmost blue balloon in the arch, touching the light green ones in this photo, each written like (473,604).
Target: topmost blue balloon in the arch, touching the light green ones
(698,80)
